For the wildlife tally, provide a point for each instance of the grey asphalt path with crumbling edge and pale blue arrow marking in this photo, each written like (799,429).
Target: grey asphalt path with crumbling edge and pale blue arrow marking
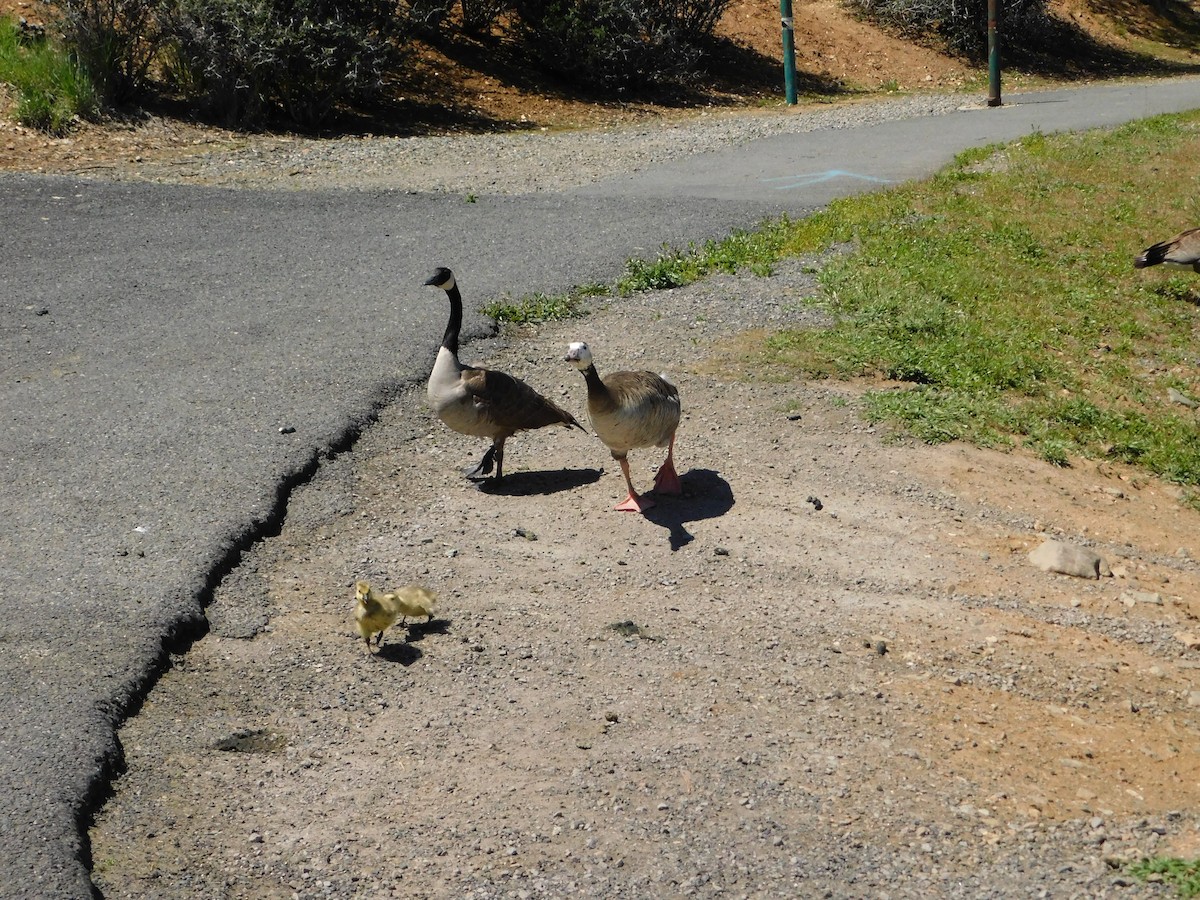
(154,343)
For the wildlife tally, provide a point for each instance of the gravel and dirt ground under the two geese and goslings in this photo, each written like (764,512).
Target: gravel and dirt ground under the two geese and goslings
(829,669)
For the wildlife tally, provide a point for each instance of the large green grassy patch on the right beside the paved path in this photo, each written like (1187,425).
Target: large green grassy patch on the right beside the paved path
(998,304)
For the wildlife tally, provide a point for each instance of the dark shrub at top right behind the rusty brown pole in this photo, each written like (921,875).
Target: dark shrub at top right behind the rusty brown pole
(962,25)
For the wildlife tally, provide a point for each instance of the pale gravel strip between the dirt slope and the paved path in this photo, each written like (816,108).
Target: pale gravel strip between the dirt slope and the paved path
(513,163)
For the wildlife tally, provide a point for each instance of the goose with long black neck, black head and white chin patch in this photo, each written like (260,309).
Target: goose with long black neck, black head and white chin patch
(482,401)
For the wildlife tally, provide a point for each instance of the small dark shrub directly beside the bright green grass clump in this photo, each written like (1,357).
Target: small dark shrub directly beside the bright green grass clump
(115,41)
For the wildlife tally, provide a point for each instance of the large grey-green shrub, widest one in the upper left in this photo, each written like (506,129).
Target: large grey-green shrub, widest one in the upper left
(257,59)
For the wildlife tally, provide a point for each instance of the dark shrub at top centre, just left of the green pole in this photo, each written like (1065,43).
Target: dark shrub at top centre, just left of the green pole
(619,44)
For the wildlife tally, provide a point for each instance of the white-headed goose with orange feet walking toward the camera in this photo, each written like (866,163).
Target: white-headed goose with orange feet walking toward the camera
(632,410)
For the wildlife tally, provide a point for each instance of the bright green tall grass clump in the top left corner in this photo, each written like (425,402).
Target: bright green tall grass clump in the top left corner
(52,89)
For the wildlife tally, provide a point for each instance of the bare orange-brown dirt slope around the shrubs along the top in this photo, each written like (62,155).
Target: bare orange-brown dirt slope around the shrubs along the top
(465,87)
